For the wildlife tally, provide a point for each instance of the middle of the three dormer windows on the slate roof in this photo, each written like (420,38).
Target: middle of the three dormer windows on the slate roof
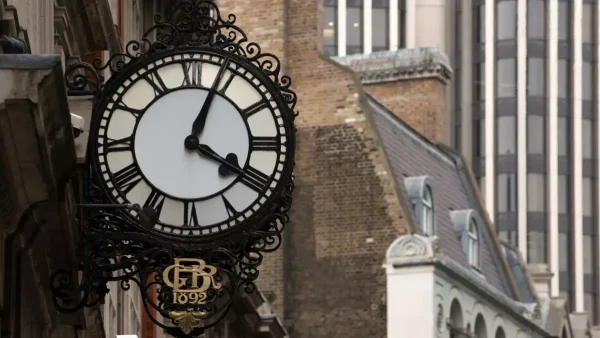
(466,224)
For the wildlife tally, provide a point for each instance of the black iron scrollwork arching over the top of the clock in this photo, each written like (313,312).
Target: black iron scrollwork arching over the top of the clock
(192,24)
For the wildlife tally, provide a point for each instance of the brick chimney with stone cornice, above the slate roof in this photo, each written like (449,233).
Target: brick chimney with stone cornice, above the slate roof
(412,83)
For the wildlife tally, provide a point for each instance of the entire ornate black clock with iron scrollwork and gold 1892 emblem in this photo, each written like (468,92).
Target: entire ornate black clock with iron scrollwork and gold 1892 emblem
(189,167)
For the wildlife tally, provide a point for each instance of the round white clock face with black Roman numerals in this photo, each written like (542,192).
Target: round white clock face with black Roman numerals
(241,154)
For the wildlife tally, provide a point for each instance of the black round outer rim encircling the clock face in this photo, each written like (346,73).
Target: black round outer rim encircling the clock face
(256,221)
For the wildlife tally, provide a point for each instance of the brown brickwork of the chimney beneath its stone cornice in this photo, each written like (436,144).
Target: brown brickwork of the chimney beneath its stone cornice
(419,102)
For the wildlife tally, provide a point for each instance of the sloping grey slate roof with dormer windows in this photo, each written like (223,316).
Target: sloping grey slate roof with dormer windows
(409,155)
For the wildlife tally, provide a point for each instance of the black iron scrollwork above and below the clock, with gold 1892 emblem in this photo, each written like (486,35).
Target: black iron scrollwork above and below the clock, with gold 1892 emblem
(111,250)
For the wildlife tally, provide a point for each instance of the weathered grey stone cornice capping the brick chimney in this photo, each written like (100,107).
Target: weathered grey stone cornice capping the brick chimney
(404,64)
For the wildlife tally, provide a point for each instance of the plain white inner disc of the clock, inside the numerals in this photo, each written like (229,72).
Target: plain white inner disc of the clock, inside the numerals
(169,164)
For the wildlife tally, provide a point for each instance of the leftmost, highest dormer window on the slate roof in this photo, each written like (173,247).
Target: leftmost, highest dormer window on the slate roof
(421,198)
